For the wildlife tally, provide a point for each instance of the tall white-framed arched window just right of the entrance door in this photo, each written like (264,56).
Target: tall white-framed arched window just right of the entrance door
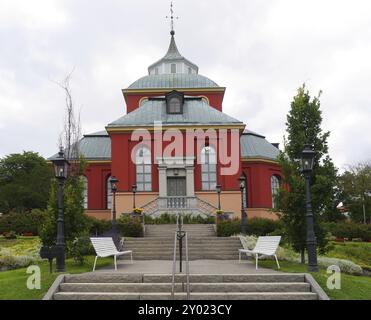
(208,168)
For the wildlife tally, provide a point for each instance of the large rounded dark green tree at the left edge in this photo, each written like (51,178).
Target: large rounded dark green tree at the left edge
(24,182)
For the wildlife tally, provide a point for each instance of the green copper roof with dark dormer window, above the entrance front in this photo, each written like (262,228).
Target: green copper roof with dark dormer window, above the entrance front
(194,112)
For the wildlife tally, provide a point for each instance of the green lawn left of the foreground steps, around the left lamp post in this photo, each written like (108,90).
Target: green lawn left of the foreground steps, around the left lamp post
(13,283)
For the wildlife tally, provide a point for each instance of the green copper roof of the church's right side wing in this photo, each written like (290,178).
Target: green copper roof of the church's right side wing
(254,145)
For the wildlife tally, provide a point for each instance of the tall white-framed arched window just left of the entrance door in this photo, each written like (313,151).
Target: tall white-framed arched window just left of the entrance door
(144,169)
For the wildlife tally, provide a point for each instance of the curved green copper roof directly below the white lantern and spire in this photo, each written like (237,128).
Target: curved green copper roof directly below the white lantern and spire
(173,81)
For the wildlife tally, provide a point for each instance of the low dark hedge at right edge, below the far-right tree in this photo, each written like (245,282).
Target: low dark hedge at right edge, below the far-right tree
(349,230)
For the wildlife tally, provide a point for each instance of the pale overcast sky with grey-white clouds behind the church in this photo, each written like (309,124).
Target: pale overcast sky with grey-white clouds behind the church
(262,51)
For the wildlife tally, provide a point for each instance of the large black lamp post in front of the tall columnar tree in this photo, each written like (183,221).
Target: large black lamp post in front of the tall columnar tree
(307,162)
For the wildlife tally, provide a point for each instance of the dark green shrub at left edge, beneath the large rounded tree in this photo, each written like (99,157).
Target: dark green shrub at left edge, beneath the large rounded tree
(22,222)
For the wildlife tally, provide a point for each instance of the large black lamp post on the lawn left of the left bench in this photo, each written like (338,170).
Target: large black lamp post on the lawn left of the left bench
(61,171)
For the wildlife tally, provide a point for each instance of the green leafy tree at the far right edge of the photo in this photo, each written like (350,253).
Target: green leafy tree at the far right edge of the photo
(355,186)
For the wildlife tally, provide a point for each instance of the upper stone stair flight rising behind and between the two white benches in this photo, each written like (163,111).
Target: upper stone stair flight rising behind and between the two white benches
(158,244)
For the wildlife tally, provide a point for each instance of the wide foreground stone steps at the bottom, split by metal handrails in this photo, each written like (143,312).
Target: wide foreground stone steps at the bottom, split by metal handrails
(119,286)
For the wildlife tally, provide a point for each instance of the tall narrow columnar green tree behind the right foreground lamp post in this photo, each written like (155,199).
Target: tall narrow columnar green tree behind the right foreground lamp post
(304,127)
